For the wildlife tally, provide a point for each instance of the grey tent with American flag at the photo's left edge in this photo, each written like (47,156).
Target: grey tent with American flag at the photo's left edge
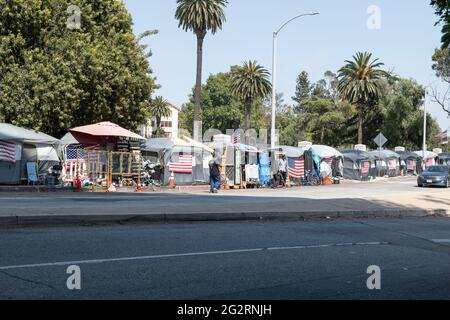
(24,145)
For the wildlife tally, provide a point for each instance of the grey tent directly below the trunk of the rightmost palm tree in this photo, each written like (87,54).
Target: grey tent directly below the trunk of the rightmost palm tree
(358,165)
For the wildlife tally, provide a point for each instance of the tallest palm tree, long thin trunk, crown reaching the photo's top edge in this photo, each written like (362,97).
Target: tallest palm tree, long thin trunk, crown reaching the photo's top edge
(200,16)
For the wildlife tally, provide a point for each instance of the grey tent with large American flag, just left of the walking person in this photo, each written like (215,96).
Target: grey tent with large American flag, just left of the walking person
(194,158)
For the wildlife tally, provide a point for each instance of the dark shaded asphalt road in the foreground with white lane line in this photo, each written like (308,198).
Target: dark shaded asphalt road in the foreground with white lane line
(308,260)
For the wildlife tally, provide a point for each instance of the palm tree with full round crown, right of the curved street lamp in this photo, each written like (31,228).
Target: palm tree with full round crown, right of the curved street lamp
(359,83)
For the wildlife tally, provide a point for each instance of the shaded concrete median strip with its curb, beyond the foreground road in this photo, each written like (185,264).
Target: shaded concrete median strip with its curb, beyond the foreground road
(90,209)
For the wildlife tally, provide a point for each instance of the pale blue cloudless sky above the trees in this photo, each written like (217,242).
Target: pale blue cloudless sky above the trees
(405,42)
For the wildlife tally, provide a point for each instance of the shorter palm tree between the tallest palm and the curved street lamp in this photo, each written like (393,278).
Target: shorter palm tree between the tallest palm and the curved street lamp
(249,82)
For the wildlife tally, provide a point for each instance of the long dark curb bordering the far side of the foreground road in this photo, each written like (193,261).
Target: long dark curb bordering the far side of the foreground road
(83,220)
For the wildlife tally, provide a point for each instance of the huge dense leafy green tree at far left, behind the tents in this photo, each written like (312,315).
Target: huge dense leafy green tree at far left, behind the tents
(53,77)
